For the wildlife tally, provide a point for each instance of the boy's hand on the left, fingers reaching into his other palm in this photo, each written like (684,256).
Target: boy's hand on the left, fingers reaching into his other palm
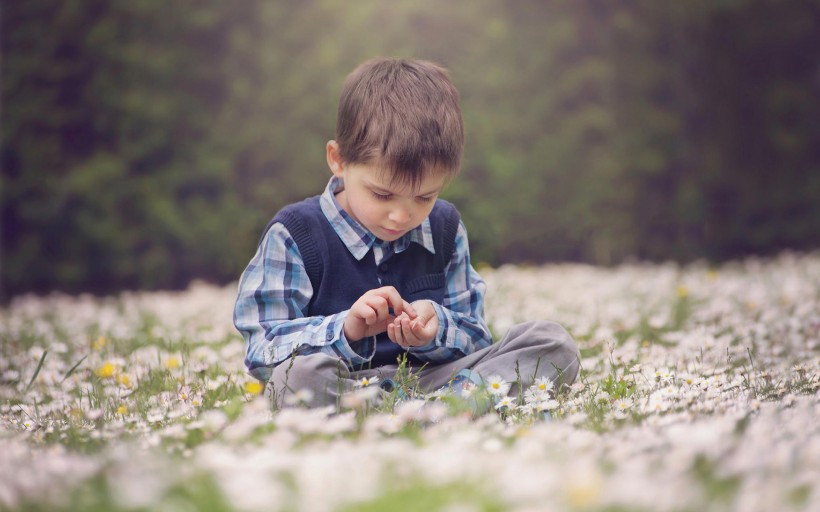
(370,315)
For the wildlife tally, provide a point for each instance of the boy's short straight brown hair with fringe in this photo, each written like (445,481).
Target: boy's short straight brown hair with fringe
(403,114)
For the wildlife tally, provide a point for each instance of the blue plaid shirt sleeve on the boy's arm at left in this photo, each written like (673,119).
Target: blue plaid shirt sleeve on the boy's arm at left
(271,305)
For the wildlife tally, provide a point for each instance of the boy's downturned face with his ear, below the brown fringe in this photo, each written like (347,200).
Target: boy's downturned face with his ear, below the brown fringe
(385,209)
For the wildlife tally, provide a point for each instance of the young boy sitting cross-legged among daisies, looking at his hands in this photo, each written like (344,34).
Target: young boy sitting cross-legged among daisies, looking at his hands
(378,267)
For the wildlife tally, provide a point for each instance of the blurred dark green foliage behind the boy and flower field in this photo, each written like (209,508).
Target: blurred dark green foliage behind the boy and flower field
(146,143)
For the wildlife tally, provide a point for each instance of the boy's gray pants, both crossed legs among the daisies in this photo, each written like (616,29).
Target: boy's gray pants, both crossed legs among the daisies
(528,351)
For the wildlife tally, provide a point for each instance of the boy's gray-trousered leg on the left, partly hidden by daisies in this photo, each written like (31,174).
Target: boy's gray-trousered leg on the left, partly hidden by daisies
(325,377)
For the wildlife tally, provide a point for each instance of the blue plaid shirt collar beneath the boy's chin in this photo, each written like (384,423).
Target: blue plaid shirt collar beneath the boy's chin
(356,237)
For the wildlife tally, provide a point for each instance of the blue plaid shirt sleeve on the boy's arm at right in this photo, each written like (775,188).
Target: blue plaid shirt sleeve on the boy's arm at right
(462,329)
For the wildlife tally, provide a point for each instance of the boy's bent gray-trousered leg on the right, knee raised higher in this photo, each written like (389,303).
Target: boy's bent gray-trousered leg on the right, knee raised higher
(532,349)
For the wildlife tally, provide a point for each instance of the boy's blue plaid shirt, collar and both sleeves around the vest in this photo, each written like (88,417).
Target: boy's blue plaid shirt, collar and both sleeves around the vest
(274,292)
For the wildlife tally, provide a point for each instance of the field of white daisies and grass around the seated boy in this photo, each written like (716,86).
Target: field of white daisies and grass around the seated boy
(698,391)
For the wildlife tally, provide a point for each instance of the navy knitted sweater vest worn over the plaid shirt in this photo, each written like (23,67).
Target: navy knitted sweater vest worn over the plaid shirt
(338,279)
